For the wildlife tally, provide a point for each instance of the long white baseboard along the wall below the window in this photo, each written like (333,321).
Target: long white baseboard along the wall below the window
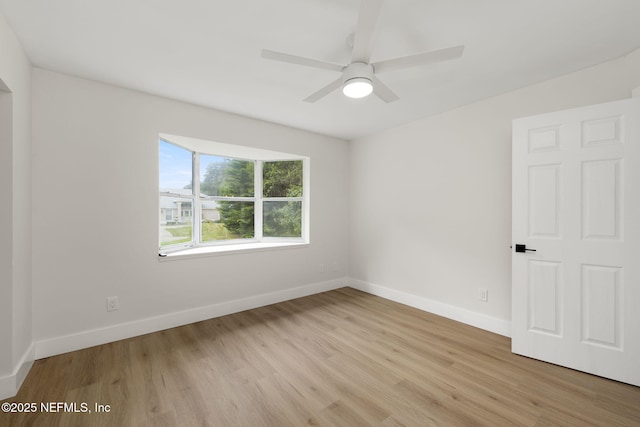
(93,337)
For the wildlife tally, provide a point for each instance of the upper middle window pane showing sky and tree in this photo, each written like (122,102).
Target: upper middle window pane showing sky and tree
(223,176)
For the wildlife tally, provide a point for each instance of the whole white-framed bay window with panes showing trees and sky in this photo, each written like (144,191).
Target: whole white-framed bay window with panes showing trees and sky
(214,194)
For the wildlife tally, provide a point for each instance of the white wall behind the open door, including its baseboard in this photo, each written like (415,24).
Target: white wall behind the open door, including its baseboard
(431,200)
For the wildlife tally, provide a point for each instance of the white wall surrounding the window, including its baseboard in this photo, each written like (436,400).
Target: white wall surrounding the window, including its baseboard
(95,219)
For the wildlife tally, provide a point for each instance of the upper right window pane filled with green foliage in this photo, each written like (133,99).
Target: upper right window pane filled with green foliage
(282,179)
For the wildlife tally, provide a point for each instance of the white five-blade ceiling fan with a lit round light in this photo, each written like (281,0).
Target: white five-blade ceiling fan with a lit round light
(359,77)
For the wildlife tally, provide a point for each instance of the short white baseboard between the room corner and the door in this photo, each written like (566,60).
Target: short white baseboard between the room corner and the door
(479,320)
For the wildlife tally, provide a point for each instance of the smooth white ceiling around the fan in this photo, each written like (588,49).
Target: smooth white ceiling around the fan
(207,52)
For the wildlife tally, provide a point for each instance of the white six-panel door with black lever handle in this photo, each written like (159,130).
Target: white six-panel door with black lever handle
(576,202)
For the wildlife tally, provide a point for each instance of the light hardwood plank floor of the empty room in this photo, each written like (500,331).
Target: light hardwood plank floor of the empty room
(340,358)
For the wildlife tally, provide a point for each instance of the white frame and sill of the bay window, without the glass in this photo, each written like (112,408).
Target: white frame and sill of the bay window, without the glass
(196,247)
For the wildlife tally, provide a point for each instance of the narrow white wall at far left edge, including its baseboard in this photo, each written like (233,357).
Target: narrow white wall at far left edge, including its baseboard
(15,213)
